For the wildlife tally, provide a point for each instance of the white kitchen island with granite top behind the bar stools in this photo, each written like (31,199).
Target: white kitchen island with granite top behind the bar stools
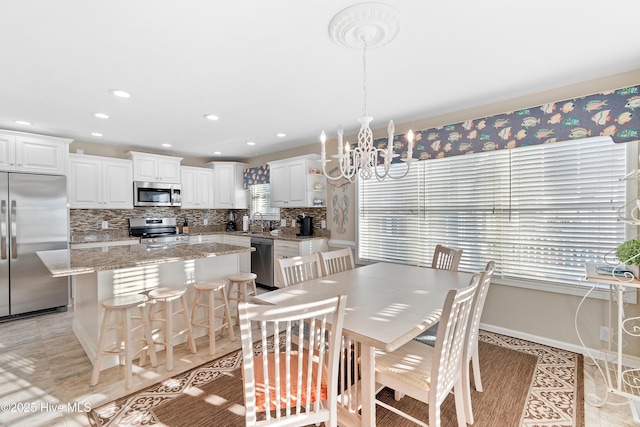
(103,272)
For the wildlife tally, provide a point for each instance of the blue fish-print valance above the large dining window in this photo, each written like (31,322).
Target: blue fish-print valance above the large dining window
(610,113)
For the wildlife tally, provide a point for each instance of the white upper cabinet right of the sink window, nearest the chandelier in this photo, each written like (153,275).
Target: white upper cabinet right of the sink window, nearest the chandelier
(294,183)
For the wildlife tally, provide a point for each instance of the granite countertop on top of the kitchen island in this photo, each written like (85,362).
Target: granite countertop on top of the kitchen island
(68,262)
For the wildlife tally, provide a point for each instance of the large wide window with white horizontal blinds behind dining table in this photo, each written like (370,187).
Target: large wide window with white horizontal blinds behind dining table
(540,212)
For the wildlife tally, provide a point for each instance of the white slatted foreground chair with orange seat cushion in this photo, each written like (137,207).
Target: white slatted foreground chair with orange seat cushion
(283,379)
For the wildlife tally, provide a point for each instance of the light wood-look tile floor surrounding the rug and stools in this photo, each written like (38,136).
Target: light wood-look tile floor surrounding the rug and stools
(44,372)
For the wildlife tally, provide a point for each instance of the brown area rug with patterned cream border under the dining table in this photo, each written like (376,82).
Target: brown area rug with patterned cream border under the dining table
(525,384)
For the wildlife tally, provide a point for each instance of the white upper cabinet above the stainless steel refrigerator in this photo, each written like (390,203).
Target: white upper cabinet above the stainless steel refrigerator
(23,152)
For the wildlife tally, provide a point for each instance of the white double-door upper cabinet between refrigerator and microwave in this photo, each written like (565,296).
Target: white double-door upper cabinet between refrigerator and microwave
(100,182)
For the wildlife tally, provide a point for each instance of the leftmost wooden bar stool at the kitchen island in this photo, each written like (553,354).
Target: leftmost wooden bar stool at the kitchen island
(119,316)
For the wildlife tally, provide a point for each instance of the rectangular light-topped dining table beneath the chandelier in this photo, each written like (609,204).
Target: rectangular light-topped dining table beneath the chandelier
(388,304)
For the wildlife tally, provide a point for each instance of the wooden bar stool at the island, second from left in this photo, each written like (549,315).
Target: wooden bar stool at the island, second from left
(164,298)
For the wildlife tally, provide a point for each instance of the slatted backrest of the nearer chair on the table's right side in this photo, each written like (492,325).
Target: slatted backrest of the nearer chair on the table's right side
(451,340)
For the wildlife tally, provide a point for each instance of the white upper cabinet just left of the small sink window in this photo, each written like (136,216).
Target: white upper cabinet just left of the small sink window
(229,191)
